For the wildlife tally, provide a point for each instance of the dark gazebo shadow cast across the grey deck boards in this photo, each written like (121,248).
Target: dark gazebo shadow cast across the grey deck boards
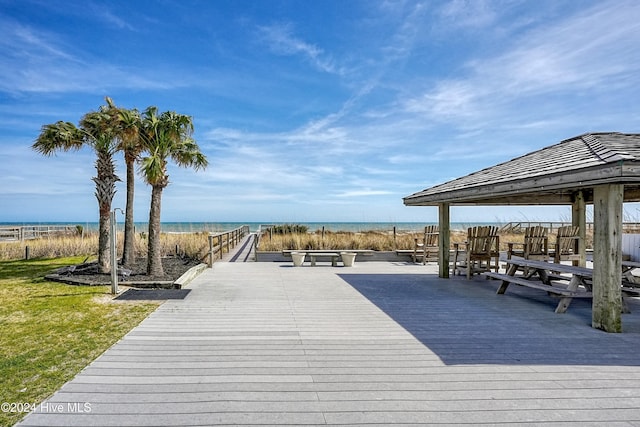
(465,322)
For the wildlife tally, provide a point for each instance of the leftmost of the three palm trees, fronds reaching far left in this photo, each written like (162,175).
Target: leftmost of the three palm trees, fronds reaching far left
(97,130)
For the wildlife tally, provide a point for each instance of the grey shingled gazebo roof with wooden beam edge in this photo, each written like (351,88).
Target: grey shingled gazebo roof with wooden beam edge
(549,176)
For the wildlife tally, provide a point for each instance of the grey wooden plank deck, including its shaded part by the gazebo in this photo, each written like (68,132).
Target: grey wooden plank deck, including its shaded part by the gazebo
(376,344)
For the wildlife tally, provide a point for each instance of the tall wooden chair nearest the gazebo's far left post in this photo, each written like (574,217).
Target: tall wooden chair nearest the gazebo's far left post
(482,246)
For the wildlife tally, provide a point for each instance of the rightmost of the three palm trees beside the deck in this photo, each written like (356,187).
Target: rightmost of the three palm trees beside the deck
(165,136)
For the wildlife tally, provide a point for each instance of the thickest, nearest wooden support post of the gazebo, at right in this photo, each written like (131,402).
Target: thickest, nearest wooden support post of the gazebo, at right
(607,257)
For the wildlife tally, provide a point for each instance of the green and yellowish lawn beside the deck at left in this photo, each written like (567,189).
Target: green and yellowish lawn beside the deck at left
(51,331)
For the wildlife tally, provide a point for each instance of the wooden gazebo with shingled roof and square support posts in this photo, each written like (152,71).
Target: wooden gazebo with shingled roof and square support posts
(602,169)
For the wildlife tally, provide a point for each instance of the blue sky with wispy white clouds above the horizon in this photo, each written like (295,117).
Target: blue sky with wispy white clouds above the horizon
(312,110)
